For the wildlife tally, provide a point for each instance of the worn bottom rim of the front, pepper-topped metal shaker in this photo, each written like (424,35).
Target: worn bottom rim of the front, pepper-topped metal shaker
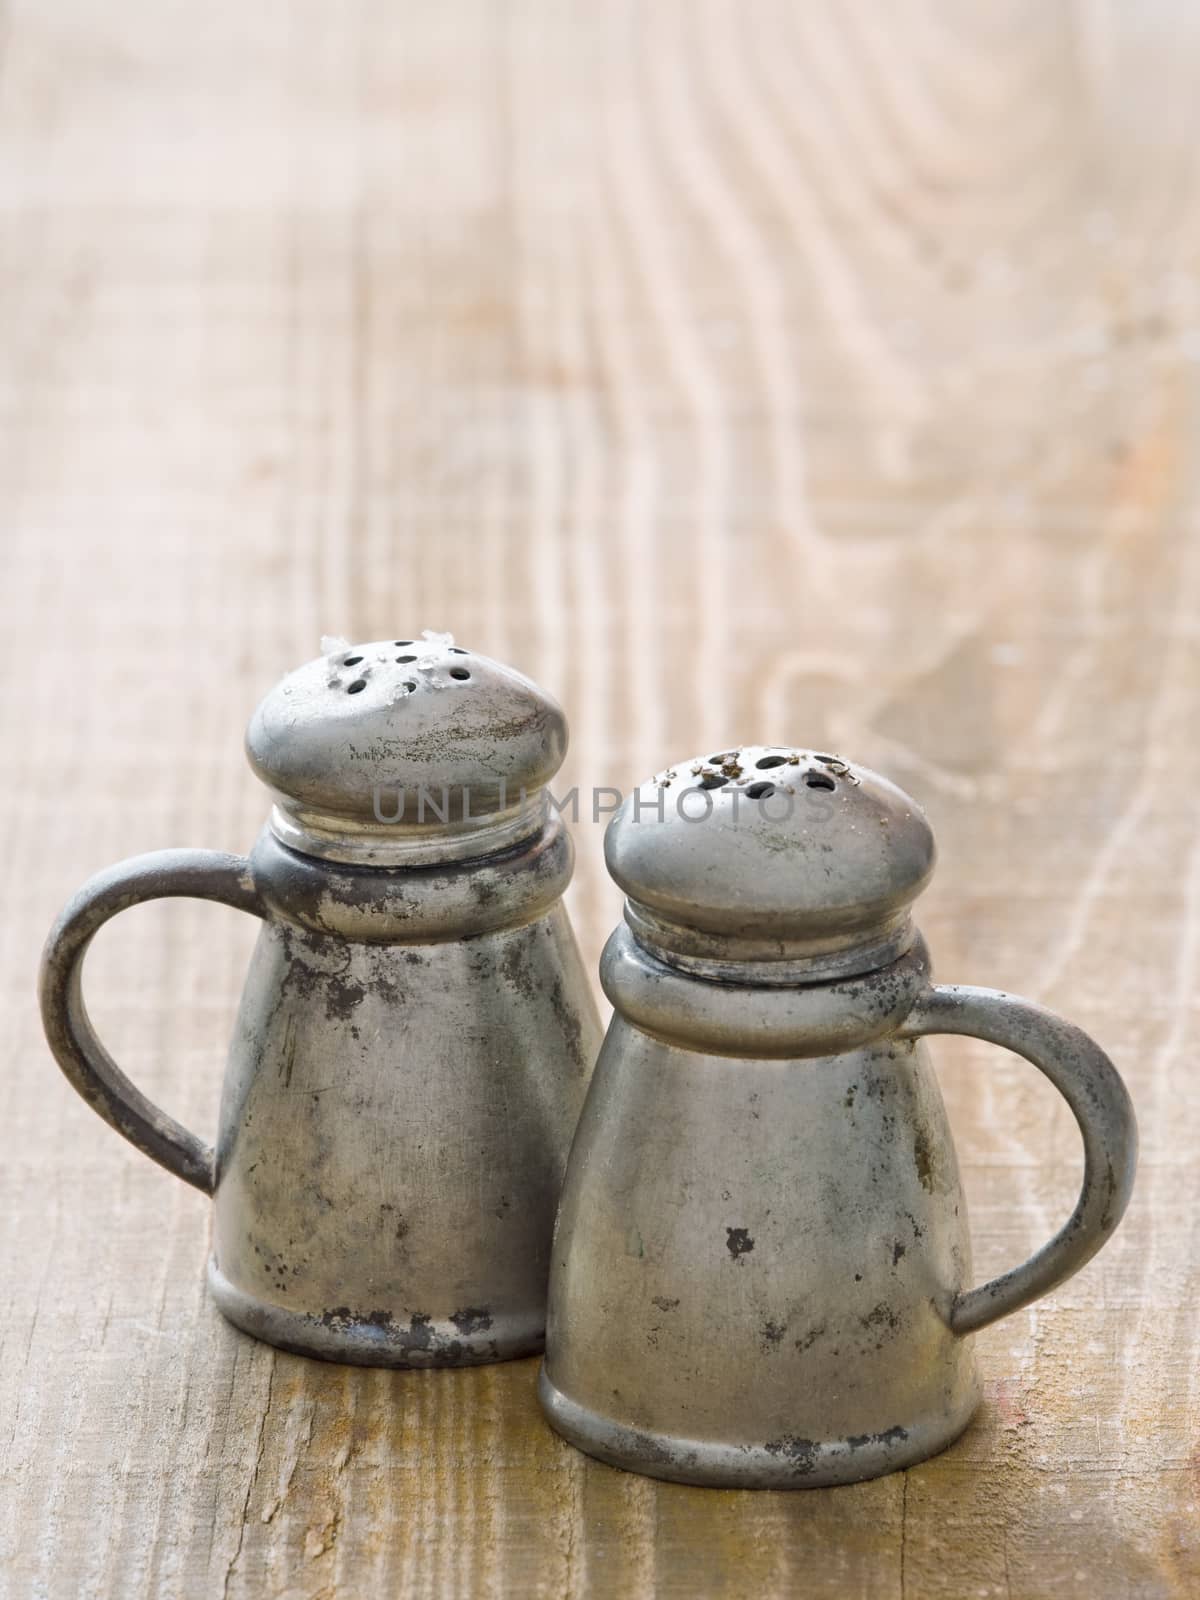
(775,1465)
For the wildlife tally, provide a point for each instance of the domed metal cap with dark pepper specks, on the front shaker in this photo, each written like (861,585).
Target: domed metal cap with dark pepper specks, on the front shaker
(774,855)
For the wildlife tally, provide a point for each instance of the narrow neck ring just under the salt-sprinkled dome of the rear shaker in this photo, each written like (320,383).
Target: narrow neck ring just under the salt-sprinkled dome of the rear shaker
(409,846)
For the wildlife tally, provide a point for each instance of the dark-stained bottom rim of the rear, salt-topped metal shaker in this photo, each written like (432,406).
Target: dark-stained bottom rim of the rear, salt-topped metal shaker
(362,1342)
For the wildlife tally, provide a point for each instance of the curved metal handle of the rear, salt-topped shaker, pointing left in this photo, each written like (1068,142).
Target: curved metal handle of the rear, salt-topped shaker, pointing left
(201,874)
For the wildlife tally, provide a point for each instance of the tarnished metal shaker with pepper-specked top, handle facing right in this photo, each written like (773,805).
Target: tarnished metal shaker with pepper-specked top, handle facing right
(762,1270)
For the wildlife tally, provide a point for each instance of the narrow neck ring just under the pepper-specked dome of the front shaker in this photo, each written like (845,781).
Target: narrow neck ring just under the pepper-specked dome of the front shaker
(727,958)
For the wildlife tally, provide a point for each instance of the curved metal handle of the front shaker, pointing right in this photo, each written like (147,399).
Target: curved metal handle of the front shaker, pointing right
(1092,1087)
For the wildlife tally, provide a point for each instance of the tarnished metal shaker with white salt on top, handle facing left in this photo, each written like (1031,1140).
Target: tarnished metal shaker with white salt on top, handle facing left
(415,1033)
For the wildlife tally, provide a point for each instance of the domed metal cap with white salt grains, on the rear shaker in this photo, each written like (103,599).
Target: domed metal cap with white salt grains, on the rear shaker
(406,751)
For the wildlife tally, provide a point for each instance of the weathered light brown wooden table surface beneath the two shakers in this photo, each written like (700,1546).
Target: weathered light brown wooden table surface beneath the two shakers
(817,374)
